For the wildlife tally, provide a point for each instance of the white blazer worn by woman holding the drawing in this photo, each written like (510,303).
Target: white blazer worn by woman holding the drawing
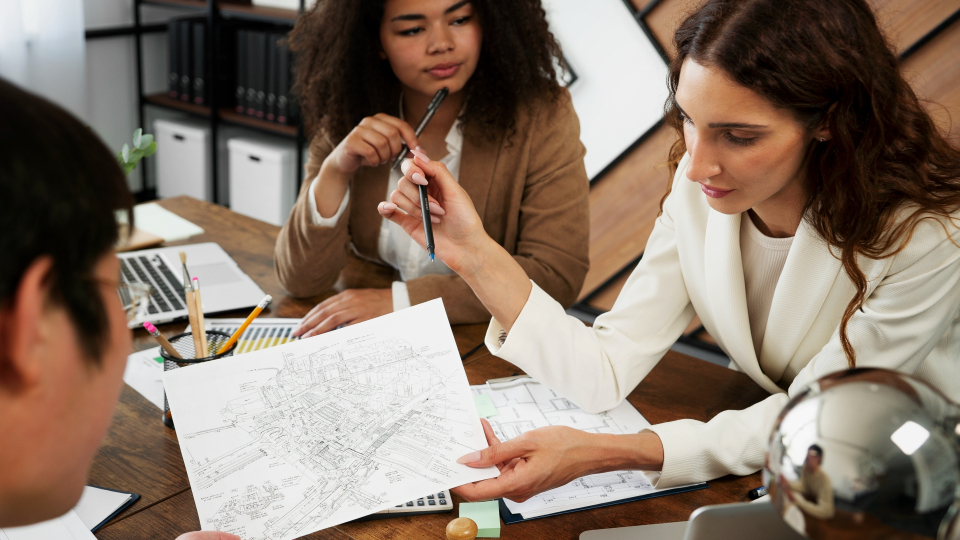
(692,265)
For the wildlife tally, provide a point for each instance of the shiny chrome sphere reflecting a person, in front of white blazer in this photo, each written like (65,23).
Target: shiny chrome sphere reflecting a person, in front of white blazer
(867,453)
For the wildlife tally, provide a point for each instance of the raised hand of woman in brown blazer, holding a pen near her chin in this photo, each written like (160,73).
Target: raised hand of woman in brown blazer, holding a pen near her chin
(375,141)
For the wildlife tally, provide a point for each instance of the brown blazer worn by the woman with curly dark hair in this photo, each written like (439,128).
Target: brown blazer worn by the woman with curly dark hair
(530,190)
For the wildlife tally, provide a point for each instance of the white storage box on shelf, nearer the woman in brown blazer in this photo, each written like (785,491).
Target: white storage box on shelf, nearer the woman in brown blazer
(262,179)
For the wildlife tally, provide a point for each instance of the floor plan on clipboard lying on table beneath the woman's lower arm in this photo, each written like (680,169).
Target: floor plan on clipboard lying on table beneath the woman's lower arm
(523,404)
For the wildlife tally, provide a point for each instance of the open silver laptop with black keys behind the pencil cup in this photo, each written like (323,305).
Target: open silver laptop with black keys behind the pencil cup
(223,286)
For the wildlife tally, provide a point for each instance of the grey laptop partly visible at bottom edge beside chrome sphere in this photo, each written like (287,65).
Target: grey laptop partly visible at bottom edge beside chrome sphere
(740,521)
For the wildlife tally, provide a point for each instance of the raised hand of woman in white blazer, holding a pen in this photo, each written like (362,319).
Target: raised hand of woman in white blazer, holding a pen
(459,237)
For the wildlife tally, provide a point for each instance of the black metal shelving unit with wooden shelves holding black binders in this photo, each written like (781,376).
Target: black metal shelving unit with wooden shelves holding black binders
(216,12)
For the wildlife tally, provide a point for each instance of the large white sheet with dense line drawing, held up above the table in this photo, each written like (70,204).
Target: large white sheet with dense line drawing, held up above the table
(285,441)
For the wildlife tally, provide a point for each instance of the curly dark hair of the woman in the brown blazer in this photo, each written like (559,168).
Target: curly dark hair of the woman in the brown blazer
(341,78)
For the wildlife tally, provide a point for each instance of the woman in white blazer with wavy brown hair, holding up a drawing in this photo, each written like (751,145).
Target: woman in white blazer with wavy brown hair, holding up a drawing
(810,224)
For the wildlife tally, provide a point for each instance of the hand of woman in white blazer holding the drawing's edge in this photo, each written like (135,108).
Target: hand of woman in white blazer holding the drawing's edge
(532,463)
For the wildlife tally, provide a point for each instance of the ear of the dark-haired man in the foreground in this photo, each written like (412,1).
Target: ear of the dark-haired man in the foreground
(22,334)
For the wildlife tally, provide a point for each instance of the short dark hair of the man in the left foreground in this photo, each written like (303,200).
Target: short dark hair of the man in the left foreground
(60,188)
